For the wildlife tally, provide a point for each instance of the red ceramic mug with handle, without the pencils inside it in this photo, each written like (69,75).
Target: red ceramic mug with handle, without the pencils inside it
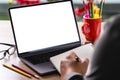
(91,28)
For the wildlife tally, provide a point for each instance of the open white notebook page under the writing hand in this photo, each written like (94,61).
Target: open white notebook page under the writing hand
(84,51)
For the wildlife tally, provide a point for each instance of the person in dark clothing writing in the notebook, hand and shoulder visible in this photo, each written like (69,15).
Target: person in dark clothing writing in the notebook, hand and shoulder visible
(105,61)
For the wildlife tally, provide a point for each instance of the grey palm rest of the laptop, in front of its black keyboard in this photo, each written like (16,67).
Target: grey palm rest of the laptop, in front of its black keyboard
(41,68)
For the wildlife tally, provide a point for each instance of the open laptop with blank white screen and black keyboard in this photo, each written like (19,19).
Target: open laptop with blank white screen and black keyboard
(42,31)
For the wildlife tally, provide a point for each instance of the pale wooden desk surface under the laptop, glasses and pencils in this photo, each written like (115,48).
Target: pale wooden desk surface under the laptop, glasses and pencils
(6,36)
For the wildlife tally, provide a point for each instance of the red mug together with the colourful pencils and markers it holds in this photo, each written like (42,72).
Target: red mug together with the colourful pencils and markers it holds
(92,20)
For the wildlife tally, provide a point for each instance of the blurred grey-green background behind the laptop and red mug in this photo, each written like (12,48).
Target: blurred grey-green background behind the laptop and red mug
(111,7)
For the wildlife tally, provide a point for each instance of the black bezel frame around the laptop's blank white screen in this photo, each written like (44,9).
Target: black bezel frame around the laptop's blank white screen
(49,49)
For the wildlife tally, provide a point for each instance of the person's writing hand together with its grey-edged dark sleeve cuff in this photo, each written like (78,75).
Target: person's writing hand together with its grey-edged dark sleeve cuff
(72,69)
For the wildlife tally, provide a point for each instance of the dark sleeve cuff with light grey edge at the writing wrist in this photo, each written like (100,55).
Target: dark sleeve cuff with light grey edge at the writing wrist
(74,76)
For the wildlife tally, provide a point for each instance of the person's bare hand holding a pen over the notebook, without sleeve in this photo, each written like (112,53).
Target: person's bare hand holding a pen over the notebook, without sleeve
(71,65)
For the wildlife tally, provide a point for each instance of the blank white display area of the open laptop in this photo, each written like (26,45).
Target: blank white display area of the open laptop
(44,26)
